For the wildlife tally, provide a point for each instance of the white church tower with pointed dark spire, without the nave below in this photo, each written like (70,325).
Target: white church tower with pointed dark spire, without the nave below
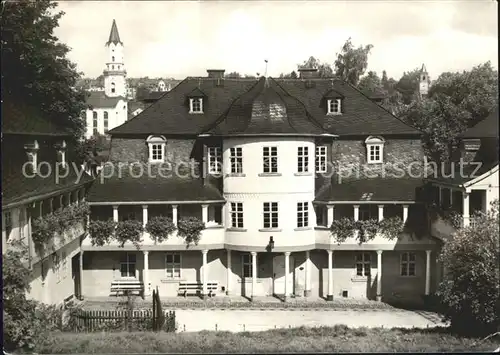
(114,75)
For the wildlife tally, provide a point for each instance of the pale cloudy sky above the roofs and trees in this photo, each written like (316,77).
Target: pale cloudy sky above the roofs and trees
(183,38)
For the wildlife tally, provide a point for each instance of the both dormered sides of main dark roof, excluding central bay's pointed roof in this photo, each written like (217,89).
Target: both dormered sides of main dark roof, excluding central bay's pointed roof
(170,114)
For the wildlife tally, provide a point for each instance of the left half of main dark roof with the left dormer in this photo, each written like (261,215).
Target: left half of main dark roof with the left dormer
(170,114)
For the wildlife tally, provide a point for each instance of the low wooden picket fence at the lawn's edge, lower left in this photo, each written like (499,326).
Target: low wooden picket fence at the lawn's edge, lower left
(136,320)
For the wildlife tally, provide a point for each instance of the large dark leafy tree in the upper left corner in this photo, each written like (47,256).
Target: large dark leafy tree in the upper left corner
(35,70)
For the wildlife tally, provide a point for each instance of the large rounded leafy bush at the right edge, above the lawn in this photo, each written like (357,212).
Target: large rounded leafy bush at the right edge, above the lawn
(470,290)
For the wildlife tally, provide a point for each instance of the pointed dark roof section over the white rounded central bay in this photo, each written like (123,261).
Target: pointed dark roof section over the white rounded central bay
(266,109)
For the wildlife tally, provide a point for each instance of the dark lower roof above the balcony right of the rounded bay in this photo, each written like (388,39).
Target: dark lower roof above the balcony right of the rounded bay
(376,189)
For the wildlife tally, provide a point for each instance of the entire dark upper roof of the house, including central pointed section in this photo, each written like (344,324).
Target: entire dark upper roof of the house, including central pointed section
(229,100)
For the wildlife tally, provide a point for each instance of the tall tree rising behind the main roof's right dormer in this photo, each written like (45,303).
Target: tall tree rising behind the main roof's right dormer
(352,62)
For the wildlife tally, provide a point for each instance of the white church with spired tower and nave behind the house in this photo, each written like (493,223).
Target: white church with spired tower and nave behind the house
(108,109)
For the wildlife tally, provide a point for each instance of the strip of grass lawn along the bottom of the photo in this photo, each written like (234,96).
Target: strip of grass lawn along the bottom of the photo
(302,340)
